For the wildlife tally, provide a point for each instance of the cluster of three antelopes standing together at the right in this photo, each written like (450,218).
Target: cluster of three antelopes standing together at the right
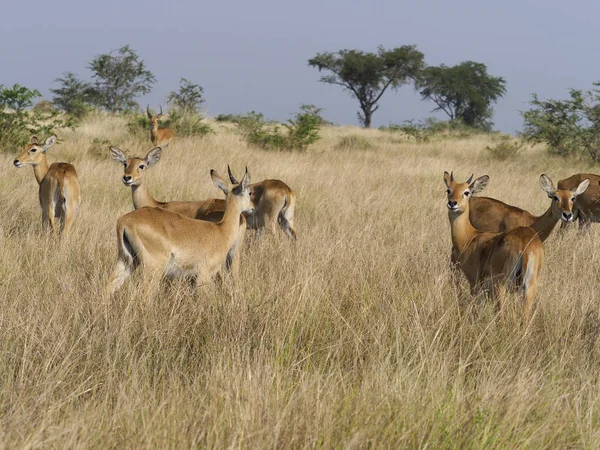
(498,246)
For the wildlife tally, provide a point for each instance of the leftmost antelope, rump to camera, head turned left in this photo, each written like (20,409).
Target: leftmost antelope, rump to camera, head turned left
(59,192)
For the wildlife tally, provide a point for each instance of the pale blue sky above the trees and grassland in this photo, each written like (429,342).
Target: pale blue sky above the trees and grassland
(252,55)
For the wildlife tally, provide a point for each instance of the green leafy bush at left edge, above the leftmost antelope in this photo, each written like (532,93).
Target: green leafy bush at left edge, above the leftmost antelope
(18,121)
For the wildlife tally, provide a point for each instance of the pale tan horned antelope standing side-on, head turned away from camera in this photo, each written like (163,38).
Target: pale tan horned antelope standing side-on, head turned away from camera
(159,240)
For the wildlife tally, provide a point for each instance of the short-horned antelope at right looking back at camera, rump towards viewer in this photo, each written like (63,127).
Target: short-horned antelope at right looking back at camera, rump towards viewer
(492,261)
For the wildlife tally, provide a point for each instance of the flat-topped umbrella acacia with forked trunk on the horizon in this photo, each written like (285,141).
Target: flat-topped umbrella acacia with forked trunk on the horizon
(368,75)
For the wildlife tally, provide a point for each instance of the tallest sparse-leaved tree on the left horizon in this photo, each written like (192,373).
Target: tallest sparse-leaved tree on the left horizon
(120,76)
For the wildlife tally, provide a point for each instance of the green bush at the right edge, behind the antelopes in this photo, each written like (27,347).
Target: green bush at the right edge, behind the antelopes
(566,127)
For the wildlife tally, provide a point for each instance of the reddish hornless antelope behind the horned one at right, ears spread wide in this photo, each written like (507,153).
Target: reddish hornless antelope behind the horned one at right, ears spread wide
(488,214)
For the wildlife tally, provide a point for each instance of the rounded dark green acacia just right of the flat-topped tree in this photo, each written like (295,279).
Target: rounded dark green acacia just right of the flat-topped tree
(464,92)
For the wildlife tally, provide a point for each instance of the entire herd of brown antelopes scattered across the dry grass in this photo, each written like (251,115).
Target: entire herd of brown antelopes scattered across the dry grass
(495,245)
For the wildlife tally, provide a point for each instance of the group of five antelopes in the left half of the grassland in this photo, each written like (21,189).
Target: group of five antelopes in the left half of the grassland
(192,239)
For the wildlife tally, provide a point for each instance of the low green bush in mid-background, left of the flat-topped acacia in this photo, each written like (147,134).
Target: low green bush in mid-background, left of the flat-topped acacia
(302,131)
